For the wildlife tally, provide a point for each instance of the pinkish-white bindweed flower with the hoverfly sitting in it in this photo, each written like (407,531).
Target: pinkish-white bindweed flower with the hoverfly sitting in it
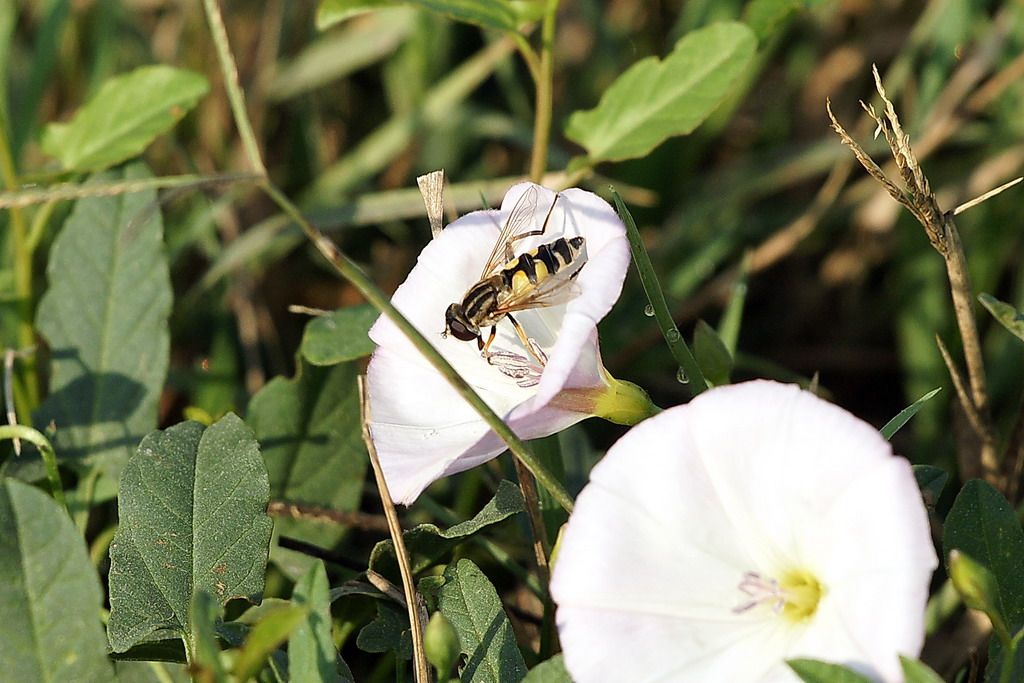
(422,430)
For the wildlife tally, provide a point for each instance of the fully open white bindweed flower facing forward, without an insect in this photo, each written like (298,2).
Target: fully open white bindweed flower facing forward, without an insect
(755,525)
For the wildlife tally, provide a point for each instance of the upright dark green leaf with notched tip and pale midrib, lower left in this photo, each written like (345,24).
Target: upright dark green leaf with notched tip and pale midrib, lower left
(193,518)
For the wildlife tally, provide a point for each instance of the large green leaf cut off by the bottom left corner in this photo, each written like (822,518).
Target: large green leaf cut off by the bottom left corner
(50,594)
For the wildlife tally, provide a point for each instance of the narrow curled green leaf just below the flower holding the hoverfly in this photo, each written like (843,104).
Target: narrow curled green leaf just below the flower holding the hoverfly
(426,543)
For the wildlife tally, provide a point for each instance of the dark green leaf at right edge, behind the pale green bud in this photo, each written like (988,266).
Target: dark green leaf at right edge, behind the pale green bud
(984,526)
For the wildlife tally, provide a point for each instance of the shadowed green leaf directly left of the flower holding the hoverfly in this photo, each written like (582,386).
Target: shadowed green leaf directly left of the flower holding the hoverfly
(313,445)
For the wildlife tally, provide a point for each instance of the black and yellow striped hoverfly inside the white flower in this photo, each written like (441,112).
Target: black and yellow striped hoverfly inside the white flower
(538,279)
